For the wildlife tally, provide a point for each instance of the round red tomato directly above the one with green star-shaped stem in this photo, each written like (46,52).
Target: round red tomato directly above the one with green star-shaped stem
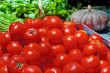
(14,48)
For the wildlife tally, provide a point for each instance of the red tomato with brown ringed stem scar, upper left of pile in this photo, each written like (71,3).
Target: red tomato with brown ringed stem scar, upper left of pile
(31,35)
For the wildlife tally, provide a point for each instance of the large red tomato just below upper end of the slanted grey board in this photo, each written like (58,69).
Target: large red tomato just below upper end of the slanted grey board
(82,38)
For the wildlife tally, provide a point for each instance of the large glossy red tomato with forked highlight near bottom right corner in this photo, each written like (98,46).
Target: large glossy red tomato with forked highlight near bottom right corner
(91,64)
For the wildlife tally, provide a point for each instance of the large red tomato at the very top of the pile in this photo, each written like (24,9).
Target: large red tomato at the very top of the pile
(54,22)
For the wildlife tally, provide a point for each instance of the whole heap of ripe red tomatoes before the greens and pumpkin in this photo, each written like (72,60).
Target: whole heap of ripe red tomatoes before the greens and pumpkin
(50,45)
